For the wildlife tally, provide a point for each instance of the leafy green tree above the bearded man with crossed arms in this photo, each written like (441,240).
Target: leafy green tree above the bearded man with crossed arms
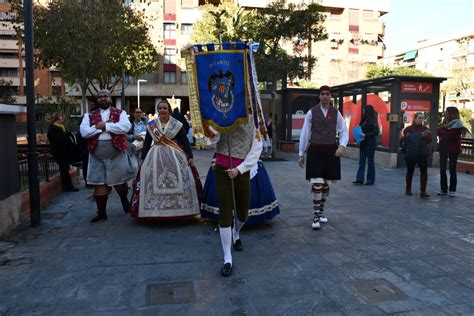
(91,42)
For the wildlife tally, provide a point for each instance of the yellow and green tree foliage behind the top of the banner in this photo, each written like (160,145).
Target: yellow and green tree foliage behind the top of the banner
(271,27)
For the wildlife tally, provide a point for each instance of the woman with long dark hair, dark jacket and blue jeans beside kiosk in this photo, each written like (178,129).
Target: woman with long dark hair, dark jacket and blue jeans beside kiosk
(370,130)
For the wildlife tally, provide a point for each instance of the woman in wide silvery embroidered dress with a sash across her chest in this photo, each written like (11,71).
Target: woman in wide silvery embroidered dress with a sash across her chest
(165,187)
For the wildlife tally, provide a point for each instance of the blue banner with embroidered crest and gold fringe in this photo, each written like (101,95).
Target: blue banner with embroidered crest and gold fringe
(222,88)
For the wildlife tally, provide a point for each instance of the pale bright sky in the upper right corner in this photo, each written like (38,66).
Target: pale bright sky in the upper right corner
(411,20)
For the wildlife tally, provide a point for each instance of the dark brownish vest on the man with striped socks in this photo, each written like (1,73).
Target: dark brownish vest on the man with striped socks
(323,129)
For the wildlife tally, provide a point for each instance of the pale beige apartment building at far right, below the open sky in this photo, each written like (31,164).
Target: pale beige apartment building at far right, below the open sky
(451,57)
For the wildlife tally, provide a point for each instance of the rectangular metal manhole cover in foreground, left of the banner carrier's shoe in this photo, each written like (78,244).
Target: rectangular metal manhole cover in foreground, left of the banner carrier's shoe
(170,293)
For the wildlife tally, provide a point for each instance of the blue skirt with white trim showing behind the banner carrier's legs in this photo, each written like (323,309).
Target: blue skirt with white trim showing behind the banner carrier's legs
(263,202)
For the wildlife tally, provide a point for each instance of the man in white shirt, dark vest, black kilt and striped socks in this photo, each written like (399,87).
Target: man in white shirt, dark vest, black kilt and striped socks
(322,124)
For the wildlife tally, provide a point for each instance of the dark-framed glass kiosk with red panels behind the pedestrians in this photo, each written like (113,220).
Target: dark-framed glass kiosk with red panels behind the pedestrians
(395,99)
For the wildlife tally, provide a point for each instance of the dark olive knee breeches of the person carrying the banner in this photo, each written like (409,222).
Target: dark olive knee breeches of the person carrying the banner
(224,196)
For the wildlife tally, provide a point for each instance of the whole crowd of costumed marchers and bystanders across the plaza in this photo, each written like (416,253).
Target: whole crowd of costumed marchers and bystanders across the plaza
(154,155)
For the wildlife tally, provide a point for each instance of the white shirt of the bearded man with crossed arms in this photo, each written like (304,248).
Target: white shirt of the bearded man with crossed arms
(121,127)
